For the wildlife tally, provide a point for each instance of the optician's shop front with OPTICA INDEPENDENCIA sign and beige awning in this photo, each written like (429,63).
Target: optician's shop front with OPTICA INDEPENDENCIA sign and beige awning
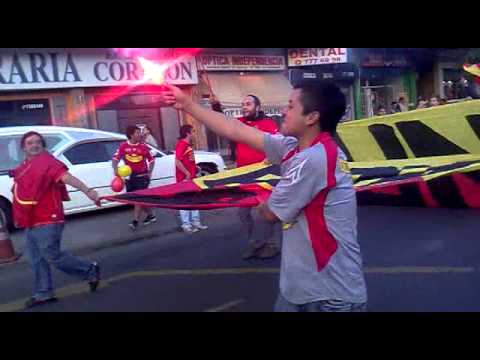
(229,74)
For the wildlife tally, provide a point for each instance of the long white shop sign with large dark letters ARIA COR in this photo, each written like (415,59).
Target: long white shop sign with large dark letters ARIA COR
(51,70)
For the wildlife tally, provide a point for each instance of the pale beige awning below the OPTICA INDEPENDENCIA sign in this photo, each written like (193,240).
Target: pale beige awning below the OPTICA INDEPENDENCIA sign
(273,89)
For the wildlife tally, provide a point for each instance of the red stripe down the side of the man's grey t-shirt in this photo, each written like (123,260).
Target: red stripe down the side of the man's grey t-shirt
(324,245)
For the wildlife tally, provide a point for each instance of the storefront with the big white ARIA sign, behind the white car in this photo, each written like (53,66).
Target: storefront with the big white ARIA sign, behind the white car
(89,88)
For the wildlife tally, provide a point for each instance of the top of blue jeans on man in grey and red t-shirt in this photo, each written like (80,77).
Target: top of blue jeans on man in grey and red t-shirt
(283,305)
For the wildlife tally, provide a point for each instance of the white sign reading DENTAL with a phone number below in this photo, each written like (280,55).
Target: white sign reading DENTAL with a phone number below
(316,56)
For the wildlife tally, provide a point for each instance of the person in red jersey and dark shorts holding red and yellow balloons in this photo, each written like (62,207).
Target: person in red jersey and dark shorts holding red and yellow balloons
(136,155)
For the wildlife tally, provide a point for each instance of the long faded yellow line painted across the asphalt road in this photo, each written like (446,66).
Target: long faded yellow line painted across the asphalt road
(80,288)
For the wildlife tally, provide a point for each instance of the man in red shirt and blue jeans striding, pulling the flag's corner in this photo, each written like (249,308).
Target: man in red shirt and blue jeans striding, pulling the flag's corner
(38,191)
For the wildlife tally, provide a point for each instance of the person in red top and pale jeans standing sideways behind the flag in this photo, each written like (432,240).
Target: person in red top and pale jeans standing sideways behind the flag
(186,170)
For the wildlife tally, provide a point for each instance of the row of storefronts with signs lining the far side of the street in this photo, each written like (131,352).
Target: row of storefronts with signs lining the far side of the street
(107,89)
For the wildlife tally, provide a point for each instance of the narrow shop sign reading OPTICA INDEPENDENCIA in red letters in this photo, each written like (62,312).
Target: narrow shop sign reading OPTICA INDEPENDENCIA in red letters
(240,63)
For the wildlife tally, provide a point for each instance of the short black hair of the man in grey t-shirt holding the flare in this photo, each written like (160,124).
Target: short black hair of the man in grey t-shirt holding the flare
(326,98)
